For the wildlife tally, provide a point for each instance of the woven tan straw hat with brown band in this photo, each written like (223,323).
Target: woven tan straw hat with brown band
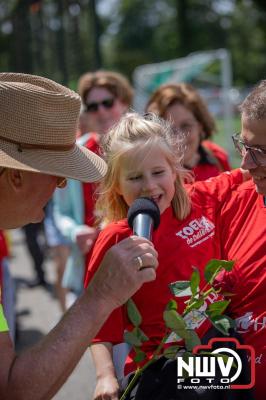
(38,122)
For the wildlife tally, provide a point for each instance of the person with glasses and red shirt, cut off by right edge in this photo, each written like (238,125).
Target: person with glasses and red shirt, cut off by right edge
(243,228)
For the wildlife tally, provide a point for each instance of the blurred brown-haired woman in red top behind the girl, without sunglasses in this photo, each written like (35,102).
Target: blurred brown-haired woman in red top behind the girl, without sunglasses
(185,108)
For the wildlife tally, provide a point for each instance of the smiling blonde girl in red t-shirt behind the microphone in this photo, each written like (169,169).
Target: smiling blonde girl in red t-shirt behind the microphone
(143,158)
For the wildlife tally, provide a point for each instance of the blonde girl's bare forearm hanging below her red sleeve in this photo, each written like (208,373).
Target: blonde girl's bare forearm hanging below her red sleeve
(107,387)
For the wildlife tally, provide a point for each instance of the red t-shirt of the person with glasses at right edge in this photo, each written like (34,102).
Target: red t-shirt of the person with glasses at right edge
(243,233)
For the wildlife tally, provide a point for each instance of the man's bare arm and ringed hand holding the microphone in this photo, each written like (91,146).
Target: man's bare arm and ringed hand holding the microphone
(39,372)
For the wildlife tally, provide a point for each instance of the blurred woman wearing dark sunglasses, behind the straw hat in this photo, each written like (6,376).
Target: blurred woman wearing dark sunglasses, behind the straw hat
(106,96)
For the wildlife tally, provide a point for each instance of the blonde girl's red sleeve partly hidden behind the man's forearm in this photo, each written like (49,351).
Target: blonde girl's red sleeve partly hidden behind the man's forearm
(113,329)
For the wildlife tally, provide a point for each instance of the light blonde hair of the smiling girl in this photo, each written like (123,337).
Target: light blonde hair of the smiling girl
(137,133)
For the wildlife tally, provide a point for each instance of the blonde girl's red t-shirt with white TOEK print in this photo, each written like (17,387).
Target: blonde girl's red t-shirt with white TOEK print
(180,245)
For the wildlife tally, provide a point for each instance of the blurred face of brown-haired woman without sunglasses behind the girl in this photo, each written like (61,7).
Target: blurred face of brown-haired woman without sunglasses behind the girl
(184,121)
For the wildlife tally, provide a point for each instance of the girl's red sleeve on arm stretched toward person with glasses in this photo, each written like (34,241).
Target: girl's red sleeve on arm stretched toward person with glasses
(215,190)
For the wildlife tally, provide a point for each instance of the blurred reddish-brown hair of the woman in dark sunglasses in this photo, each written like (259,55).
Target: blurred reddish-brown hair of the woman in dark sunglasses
(114,82)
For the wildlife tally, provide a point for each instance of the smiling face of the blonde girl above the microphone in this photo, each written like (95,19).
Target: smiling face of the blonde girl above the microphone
(147,174)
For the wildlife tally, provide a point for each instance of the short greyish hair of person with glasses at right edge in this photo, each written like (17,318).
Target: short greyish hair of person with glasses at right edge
(254,105)
